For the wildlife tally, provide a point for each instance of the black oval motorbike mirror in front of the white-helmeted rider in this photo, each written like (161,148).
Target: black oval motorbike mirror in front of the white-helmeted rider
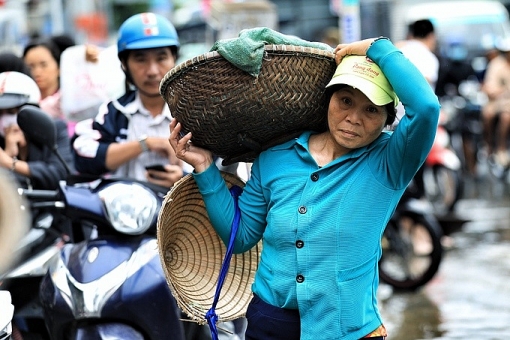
(37,126)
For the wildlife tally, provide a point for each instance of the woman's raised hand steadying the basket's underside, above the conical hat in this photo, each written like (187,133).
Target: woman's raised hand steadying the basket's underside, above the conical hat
(200,159)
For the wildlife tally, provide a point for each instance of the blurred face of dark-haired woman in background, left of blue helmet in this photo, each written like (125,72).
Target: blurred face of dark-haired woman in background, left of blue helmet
(44,69)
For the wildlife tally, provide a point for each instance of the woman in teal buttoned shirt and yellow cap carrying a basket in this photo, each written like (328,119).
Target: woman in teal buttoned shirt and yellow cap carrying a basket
(320,202)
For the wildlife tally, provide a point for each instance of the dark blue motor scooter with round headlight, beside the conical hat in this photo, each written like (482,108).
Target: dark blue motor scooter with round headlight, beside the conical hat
(108,282)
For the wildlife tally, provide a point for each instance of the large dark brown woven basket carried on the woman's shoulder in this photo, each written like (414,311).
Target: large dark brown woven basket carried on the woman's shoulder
(236,115)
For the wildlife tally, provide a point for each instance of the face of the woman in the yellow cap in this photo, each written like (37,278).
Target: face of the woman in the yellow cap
(353,120)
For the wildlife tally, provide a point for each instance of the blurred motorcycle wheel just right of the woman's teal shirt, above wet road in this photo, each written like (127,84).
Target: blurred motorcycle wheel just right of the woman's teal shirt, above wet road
(412,251)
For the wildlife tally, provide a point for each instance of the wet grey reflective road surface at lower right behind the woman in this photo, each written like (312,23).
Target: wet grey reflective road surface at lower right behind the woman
(469,298)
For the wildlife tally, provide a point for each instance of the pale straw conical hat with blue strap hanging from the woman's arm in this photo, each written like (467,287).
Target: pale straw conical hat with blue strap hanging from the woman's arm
(192,255)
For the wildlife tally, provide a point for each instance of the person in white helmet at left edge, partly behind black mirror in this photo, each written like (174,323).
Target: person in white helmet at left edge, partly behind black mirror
(33,165)
